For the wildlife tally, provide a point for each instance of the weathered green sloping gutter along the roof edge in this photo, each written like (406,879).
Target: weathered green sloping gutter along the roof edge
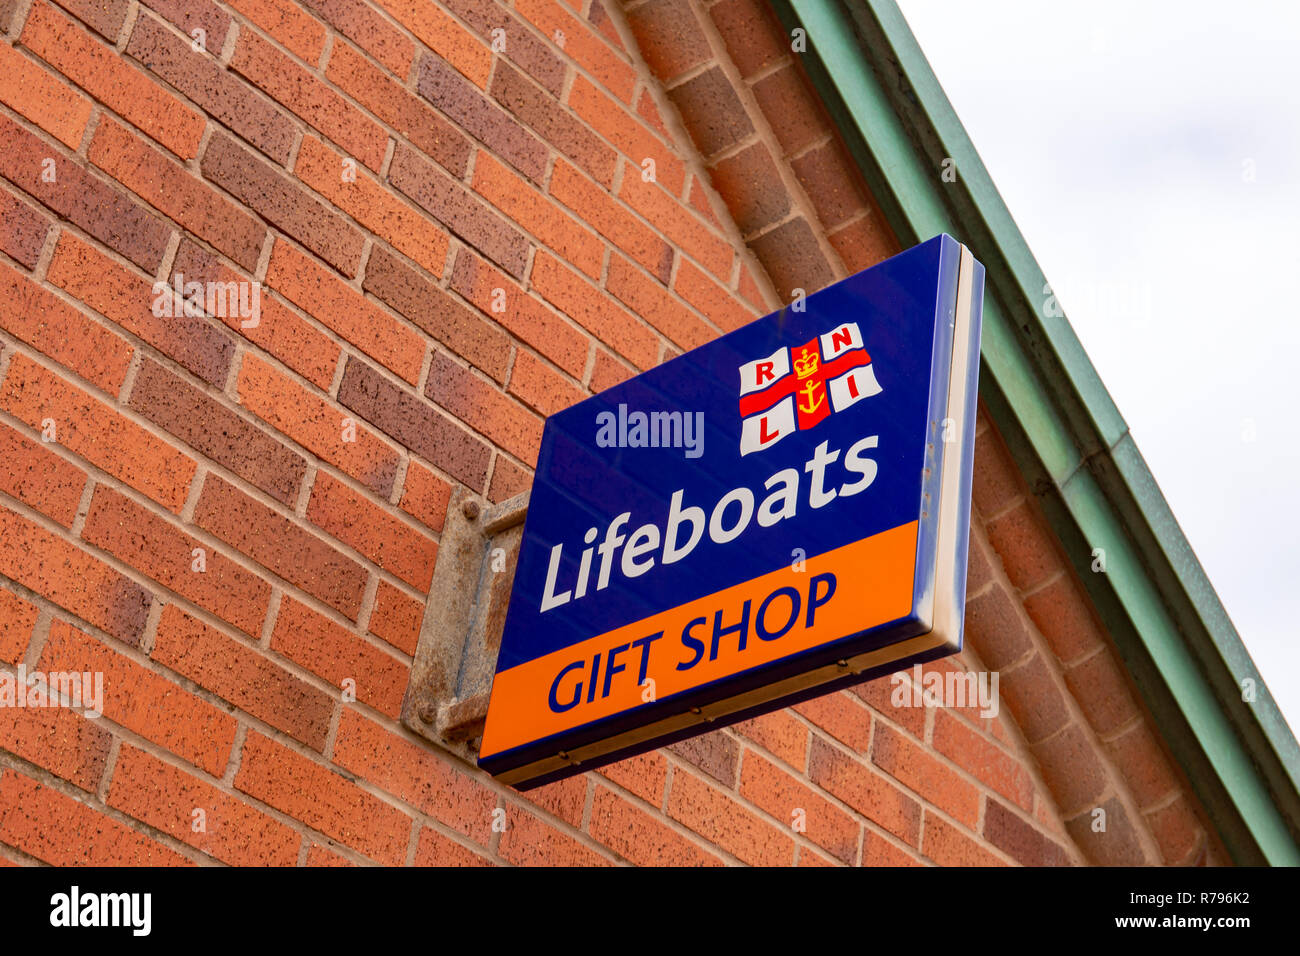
(1065,432)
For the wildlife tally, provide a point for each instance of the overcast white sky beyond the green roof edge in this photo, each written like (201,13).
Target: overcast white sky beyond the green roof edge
(1151,155)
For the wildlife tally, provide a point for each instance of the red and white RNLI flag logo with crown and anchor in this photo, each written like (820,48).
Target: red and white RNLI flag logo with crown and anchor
(798,388)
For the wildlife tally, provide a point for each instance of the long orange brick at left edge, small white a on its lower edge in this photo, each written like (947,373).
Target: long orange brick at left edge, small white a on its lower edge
(98,434)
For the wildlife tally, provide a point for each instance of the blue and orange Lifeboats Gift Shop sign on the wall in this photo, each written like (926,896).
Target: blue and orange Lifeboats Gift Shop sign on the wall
(773,516)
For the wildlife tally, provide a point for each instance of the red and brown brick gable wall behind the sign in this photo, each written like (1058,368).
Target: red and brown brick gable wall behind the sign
(497,257)
